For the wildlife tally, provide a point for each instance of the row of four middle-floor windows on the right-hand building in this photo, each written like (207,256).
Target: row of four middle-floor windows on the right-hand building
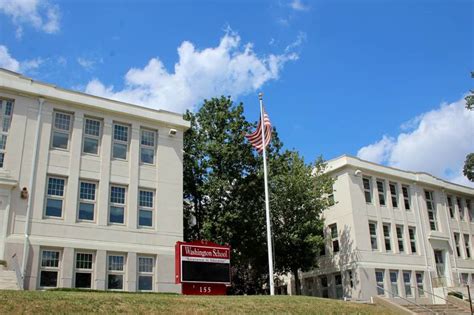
(387,238)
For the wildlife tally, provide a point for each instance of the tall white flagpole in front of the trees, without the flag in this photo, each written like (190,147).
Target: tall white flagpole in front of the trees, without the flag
(267,202)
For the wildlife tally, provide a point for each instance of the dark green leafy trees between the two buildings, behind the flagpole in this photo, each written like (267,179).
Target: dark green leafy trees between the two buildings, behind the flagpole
(224,196)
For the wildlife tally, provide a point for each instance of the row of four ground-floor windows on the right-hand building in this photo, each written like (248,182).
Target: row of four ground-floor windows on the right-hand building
(393,289)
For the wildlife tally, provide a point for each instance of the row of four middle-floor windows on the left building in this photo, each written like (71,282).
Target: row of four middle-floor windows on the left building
(87,203)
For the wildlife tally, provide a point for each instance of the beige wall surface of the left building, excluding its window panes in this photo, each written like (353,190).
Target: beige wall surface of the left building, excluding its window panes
(67,234)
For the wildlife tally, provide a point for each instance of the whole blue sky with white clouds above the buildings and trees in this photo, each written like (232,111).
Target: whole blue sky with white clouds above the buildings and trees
(382,80)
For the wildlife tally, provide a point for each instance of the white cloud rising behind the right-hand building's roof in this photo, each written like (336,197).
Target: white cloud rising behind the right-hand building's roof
(437,143)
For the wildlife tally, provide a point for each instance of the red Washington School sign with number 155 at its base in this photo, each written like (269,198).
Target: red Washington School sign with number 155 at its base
(202,267)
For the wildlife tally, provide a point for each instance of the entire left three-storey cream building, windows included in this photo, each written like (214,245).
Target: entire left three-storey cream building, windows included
(90,189)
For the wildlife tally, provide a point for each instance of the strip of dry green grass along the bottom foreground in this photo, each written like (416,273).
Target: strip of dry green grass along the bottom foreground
(67,302)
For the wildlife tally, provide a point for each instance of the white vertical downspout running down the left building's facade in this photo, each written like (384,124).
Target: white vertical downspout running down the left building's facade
(30,195)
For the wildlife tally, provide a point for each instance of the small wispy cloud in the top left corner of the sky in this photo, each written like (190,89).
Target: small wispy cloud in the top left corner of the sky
(40,14)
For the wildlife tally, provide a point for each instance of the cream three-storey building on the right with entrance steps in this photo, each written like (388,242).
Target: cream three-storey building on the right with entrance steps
(393,233)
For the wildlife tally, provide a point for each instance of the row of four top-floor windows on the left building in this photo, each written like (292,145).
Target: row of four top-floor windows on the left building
(92,134)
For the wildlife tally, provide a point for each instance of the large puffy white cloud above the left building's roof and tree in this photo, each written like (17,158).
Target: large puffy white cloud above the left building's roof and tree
(227,69)
